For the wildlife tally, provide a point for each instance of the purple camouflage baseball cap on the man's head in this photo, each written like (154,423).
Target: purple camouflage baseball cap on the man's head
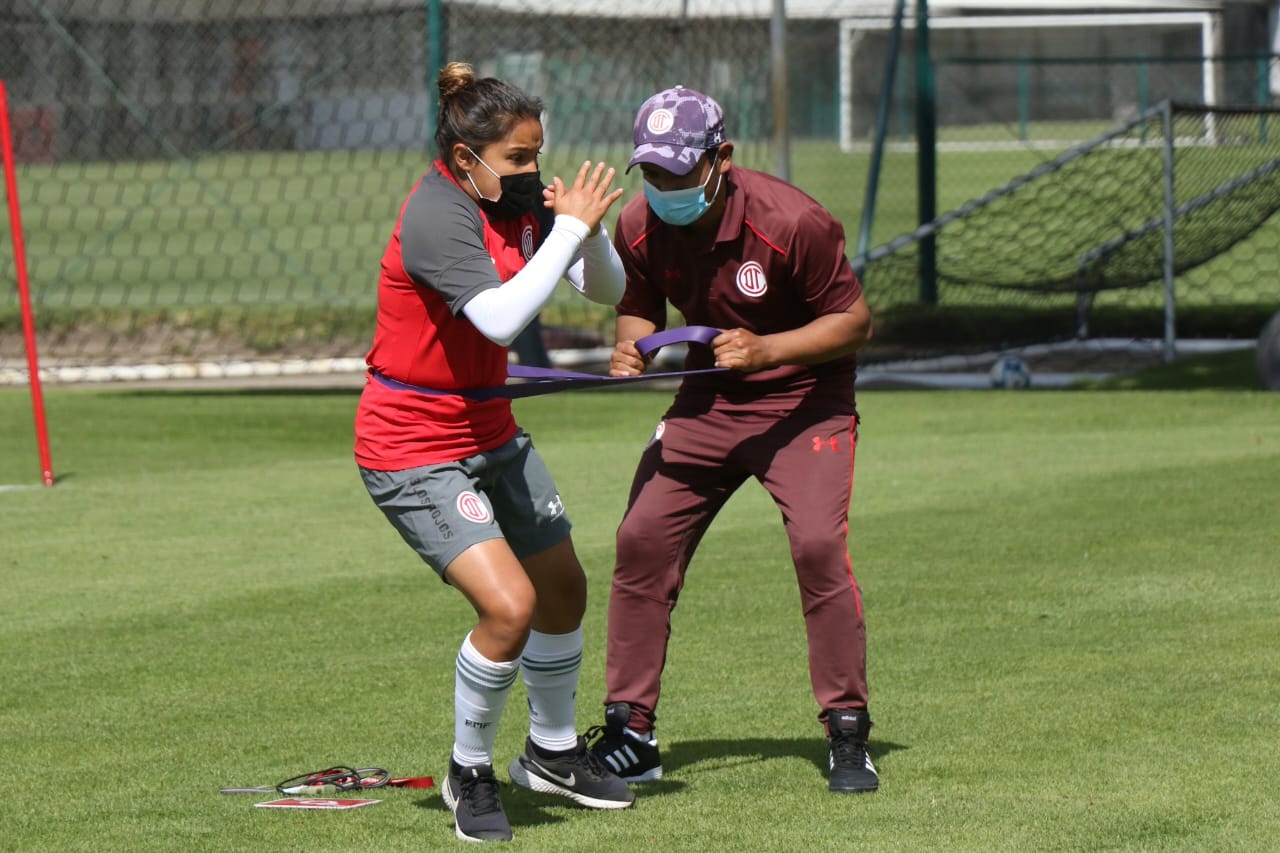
(675,129)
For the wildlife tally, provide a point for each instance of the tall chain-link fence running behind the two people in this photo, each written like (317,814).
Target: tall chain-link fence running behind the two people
(217,180)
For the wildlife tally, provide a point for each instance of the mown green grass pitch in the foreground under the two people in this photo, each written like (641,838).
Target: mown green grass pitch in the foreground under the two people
(1071,599)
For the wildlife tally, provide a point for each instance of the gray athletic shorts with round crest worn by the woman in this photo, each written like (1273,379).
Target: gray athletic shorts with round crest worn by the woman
(442,510)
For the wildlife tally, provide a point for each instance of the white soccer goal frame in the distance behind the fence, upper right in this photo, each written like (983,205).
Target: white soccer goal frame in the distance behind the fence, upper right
(853,31)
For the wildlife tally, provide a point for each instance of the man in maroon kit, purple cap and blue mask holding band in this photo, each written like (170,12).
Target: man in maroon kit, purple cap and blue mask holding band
(764,263)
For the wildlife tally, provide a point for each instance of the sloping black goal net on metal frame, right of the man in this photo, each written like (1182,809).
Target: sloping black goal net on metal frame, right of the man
(1173,190)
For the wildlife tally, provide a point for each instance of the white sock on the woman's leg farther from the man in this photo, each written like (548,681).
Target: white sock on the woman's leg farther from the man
(481,690)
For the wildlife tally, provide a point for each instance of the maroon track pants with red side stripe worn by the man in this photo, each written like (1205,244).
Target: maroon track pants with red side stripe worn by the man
(806,462)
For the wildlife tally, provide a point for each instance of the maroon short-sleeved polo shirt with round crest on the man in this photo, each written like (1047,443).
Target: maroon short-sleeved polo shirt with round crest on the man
(776,263)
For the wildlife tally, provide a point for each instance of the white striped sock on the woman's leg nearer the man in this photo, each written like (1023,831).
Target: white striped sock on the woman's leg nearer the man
(550,667)
